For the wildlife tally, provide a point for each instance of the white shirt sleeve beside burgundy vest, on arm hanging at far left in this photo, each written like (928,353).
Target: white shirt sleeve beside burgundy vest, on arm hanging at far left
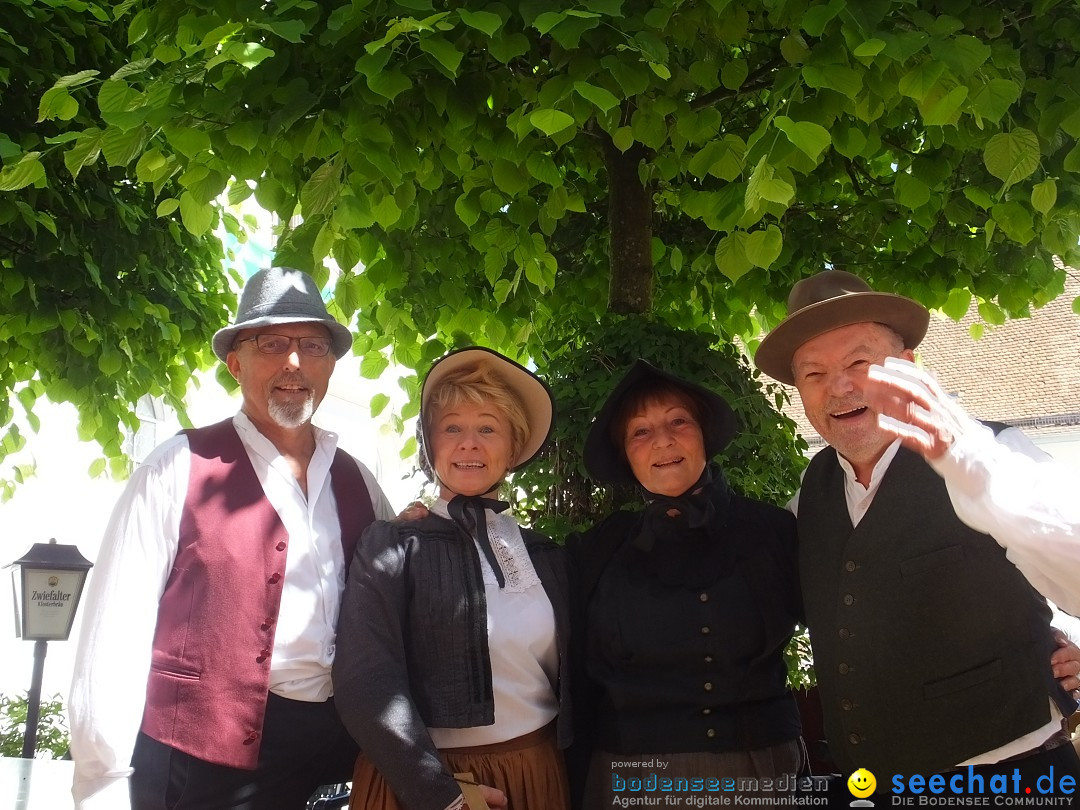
(113,658)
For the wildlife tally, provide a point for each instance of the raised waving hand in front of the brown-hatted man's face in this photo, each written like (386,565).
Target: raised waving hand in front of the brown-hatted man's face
(912,406)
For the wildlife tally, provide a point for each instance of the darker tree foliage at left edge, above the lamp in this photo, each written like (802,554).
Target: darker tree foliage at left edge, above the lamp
(102,301)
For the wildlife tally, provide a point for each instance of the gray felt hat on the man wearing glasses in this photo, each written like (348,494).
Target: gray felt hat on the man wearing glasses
(281,295)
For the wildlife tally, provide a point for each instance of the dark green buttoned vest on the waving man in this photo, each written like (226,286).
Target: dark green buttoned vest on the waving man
(930,646)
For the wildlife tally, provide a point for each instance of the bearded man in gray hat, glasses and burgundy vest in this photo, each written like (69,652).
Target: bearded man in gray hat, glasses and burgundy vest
(204,670)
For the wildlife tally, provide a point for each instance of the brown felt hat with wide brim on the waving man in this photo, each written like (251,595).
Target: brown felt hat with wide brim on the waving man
(831,300)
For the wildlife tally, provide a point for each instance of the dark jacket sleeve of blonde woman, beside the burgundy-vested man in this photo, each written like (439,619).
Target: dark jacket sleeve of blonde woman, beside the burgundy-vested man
(372,690)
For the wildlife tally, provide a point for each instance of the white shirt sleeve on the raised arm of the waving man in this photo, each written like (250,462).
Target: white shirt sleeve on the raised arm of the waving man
(1007,488)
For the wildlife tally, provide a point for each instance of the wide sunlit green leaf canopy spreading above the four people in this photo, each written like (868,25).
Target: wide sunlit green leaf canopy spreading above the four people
(510,172)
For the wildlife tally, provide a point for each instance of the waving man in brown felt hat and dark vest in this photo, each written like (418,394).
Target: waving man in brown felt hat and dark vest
(931,644)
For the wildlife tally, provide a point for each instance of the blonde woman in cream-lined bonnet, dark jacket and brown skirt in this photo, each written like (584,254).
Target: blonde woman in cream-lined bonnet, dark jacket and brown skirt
(452,649)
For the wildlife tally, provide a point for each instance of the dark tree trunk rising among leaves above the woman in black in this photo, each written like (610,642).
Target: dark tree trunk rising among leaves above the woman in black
(630,232)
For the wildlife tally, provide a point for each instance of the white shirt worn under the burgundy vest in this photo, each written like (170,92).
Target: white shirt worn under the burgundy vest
(113,659)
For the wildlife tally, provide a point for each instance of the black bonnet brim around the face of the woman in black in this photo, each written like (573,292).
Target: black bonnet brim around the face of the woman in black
(607,464)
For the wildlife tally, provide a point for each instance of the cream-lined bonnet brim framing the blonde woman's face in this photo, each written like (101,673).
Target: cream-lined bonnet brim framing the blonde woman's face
(536,398)
